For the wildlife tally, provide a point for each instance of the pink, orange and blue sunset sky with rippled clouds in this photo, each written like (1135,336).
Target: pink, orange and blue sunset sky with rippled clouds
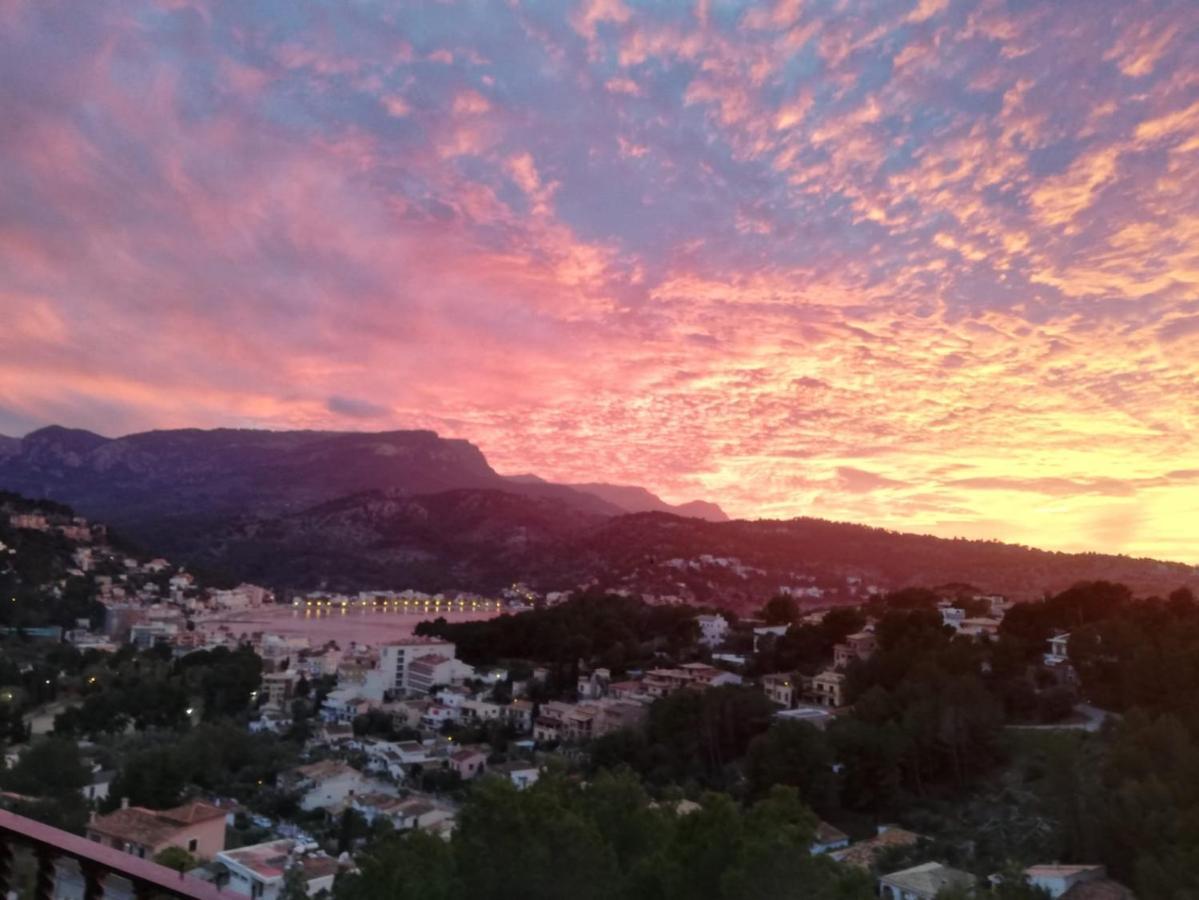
(931,265)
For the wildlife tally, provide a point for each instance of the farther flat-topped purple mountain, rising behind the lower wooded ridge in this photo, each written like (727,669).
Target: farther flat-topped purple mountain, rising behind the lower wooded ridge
(171,490)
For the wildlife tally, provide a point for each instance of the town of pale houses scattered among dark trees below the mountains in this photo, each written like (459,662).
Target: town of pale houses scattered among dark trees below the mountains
(332,750)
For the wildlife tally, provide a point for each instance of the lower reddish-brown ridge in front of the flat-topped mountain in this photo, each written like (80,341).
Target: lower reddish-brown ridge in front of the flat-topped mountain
(485,541)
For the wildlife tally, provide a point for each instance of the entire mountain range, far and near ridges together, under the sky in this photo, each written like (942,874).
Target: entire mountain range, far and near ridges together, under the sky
(354,511)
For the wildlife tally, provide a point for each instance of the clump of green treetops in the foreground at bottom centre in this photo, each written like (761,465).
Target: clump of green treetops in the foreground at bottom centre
(605,839)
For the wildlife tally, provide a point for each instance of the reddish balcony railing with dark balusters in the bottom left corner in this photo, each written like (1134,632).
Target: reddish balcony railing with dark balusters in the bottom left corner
(52,847)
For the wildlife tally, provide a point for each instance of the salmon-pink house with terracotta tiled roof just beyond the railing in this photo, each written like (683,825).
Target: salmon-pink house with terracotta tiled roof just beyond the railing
(197,827)
